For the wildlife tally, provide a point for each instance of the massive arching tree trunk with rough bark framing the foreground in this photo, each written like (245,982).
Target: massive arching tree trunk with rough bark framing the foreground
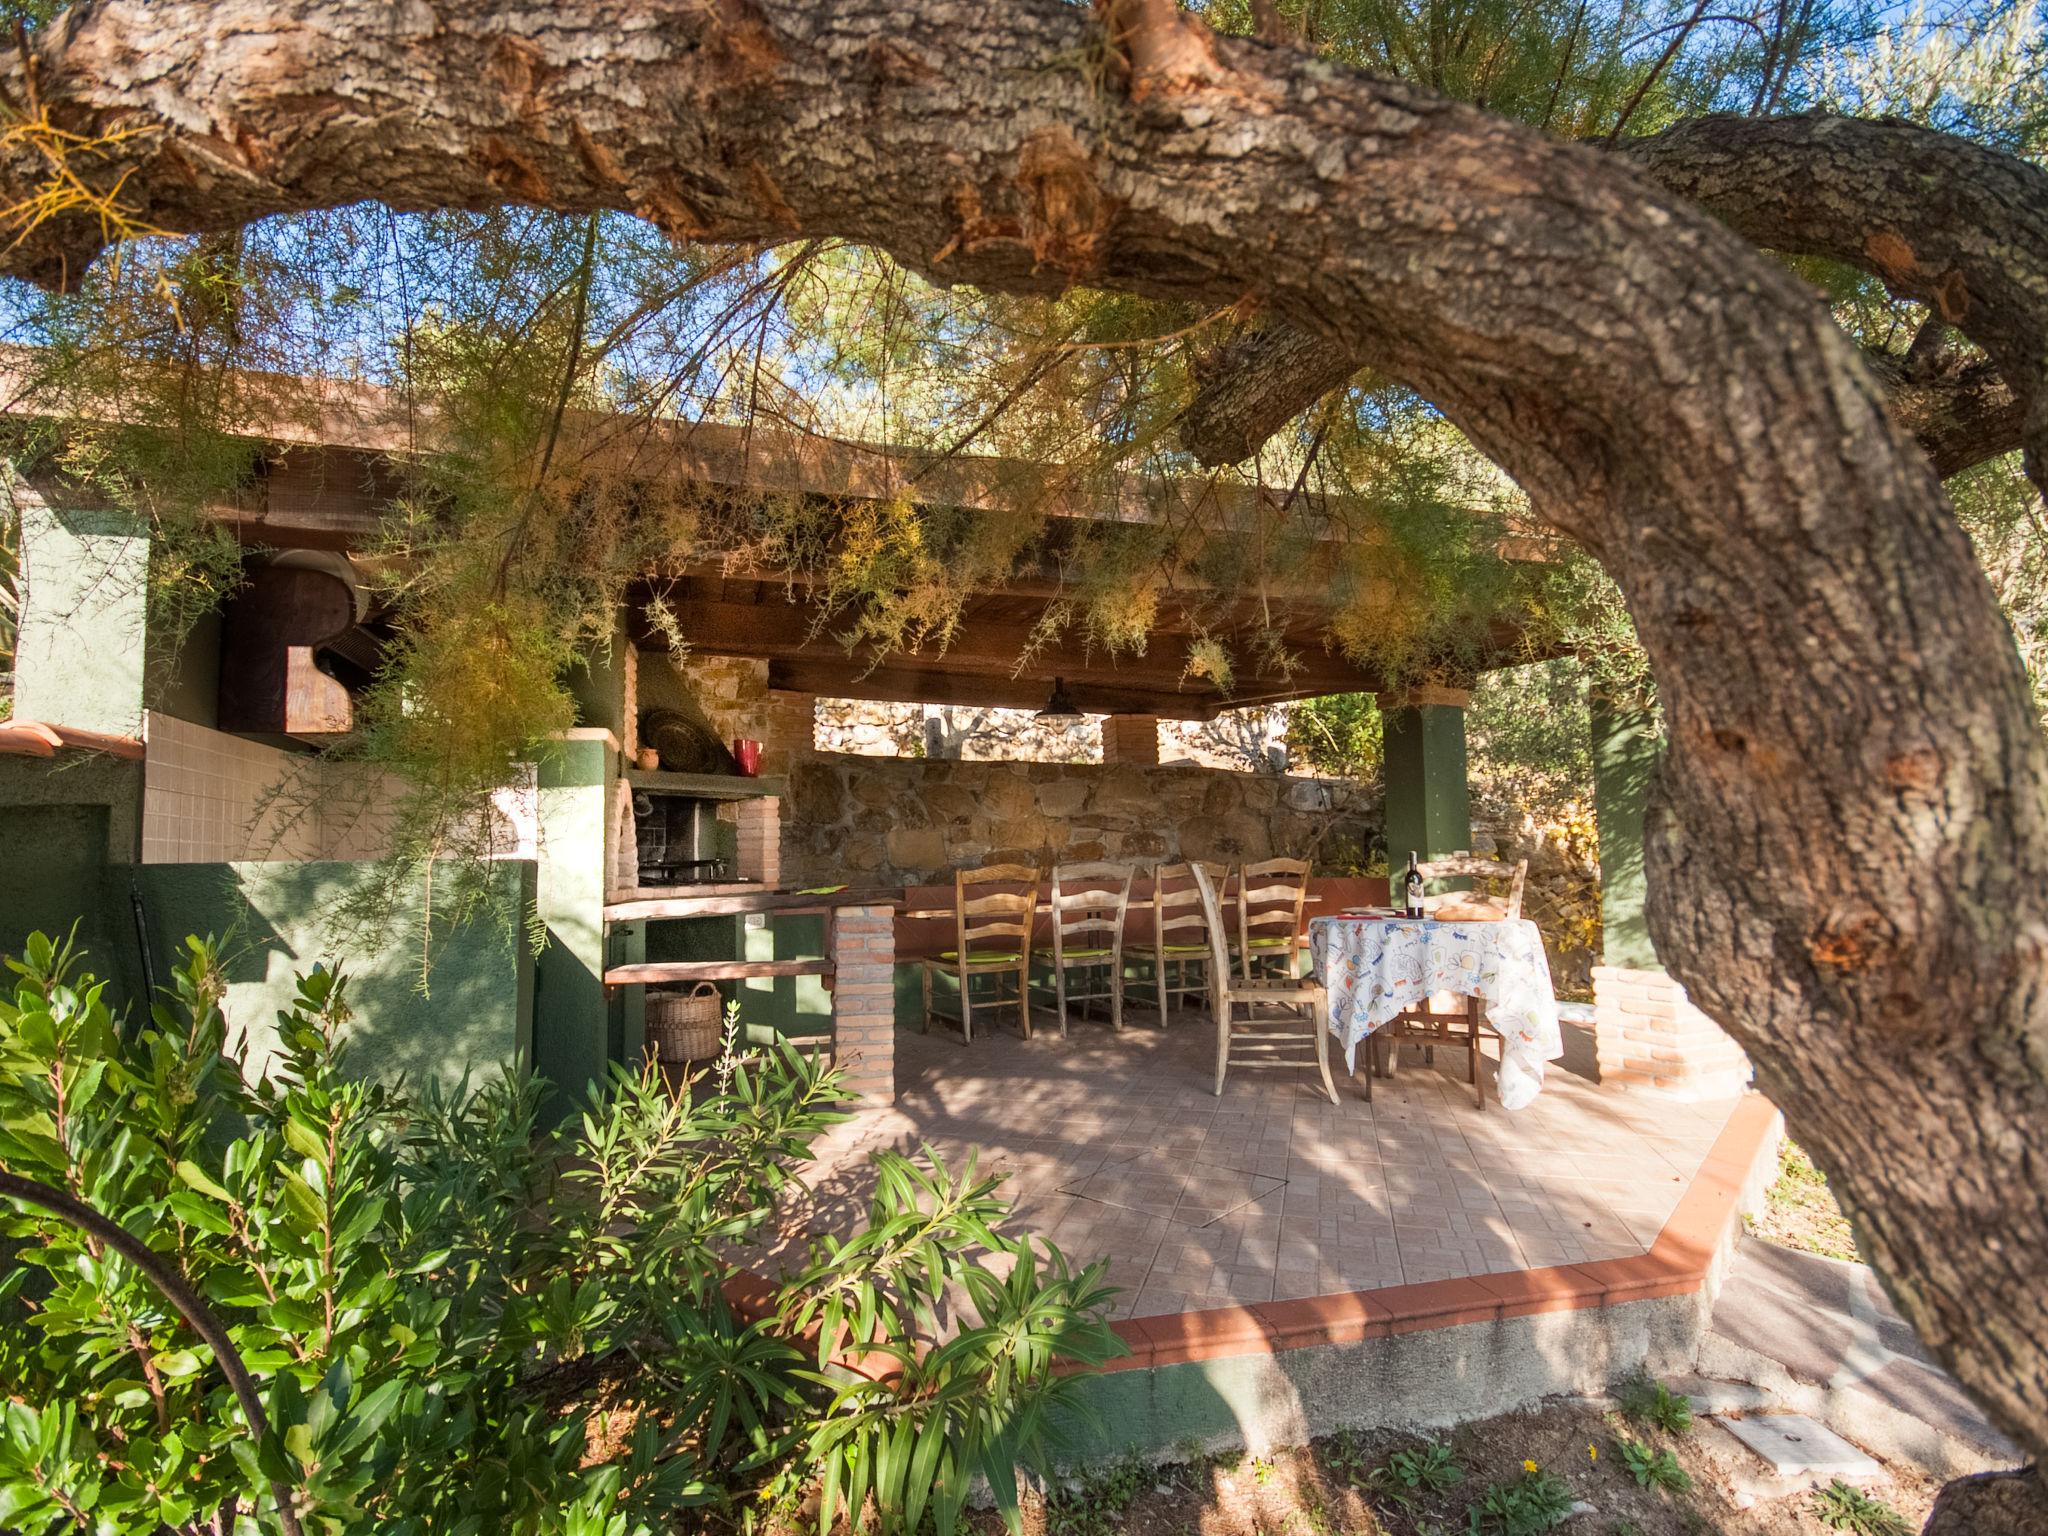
(1848,849)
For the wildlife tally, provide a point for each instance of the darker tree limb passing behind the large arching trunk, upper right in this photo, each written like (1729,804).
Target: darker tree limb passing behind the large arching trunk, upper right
(1938,220)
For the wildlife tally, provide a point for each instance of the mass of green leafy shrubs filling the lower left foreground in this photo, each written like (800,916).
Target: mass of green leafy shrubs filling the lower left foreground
(464,1322)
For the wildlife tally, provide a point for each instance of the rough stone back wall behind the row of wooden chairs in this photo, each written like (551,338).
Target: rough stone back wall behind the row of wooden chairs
(912,822)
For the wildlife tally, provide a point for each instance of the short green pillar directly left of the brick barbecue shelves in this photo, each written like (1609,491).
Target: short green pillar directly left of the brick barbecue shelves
(577,1029)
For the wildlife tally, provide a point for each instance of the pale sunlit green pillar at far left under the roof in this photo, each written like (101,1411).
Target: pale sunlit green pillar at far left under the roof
(85,589)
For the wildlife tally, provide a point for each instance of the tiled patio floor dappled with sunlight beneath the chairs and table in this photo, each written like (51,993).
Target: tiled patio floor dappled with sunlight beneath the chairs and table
(1115,1148)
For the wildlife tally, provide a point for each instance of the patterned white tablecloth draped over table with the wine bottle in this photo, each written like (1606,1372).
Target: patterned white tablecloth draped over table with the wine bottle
(1379,968)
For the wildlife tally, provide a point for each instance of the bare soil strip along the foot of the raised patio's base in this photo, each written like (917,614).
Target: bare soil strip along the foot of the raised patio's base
(1328,1488)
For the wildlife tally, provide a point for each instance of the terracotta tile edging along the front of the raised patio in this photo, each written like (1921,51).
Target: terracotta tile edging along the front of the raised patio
(1674,1267)
